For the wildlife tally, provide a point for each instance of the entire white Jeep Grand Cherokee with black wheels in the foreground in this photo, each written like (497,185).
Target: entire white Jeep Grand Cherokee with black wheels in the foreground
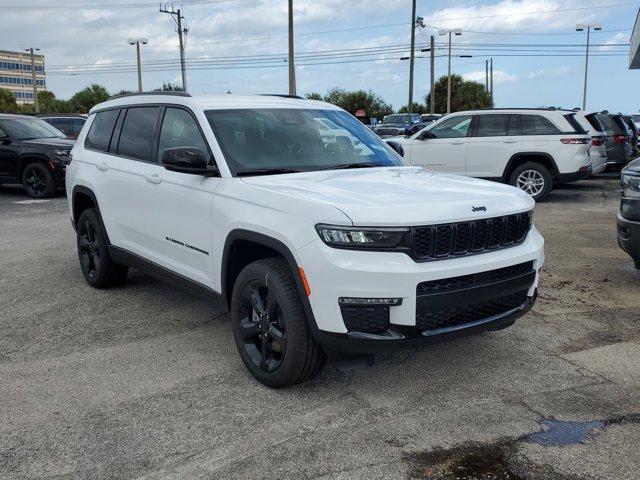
(317,245)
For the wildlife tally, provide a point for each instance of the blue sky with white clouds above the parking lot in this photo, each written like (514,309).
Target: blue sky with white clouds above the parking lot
(241,46)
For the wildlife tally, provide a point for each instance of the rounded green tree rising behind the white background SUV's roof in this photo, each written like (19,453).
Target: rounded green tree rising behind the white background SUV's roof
(465,95)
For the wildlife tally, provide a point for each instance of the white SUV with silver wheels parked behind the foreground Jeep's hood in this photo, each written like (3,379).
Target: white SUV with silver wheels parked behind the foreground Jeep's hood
(528,148)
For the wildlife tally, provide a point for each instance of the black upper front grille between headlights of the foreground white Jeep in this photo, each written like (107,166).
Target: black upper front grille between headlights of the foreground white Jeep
(435,242)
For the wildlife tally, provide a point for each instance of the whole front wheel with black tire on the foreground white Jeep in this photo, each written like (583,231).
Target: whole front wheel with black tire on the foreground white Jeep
(270,327)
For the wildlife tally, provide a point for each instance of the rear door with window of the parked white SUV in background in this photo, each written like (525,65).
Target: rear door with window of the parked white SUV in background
(495,139)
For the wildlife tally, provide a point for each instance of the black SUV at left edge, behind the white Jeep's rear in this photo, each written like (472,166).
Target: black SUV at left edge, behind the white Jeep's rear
(33,153)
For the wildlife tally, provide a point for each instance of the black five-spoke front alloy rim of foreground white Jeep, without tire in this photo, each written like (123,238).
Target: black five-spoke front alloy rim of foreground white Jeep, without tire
(263,334)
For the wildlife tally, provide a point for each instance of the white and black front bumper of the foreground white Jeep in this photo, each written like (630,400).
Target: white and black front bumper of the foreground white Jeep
(334,273)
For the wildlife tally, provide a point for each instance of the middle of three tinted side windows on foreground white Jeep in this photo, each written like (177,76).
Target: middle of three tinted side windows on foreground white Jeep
(136,136)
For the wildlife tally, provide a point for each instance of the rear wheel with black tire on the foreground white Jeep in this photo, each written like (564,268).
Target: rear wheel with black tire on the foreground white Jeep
(99,270)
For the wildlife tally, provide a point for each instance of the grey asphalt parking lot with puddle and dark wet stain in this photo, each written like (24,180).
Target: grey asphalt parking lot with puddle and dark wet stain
(143,381)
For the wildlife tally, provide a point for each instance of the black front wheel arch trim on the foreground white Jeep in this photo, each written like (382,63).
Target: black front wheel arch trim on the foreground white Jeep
(245,246)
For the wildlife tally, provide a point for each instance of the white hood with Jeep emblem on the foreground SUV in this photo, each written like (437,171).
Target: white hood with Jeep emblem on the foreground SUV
(400,195)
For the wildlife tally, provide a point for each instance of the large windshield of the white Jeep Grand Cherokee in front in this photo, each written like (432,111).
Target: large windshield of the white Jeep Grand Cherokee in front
(296,140)
